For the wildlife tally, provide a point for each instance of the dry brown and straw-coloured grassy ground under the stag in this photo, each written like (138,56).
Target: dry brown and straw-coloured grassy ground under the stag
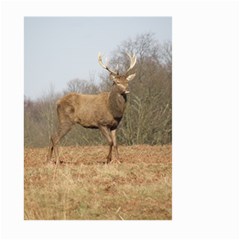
(83,188)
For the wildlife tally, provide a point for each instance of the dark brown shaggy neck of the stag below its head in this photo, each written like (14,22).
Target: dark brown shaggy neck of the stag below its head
(117,102)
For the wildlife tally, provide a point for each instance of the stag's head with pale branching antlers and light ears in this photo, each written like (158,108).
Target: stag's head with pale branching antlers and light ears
(121,80)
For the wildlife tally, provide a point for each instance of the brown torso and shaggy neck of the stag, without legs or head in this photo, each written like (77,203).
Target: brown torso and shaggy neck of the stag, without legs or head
(91,111)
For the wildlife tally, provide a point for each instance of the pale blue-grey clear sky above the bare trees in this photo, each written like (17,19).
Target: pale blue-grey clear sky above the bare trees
(59,49)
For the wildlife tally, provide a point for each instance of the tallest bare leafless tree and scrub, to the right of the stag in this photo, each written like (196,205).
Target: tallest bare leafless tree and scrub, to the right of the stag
(149,120)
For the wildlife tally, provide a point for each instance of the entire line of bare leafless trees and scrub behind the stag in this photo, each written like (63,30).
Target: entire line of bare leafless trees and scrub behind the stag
(148,116)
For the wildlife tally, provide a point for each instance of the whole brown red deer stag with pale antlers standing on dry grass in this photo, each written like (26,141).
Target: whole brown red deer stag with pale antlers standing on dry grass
(102,111)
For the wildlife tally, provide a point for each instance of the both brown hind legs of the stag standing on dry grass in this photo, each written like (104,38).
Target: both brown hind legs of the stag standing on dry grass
(63,129)
